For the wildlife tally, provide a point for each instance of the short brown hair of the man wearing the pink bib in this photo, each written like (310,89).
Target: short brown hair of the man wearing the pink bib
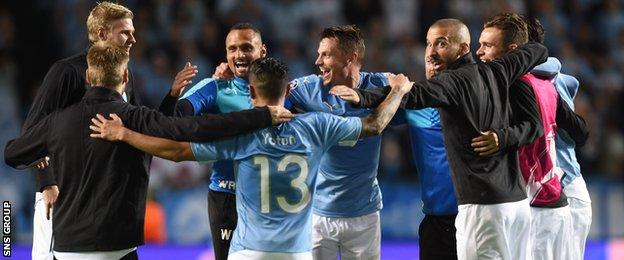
(513,26)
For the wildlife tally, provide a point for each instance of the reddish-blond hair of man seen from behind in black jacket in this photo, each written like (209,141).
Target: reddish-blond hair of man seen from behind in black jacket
(106,65)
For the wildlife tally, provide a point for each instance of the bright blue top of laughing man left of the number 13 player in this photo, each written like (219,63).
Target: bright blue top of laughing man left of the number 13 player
(213,96)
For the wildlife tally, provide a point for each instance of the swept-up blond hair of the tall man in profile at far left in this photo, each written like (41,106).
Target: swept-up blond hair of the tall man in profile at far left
(101,17)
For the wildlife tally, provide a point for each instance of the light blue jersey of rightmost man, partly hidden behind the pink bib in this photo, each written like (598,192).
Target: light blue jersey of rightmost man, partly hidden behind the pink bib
(567,87)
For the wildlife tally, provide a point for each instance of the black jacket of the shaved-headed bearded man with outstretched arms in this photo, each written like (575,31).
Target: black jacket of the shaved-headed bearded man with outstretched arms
(474,97)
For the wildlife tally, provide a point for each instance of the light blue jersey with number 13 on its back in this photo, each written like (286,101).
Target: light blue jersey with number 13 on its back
(276,172)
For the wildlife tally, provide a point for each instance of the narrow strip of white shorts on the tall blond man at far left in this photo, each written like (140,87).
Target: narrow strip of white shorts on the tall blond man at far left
(42,231)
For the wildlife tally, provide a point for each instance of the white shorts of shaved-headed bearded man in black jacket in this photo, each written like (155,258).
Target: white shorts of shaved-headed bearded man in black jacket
(494,231)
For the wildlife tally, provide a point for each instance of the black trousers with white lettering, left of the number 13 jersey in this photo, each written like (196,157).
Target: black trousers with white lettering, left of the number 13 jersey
(223,218)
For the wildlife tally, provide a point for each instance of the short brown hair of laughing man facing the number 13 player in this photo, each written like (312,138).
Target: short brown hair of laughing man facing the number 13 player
(349,37)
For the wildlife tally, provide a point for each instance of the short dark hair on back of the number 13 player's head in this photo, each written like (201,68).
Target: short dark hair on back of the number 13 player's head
(270,77)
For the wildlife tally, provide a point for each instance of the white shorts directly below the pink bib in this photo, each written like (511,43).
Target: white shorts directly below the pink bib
(551,229)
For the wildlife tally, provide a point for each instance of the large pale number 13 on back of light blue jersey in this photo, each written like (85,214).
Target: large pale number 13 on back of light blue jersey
(298,183)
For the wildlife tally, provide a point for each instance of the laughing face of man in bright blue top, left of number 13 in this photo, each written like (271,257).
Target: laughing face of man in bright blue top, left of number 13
(243,47)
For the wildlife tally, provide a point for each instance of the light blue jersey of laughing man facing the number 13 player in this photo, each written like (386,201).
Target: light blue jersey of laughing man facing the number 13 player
(347,184)
